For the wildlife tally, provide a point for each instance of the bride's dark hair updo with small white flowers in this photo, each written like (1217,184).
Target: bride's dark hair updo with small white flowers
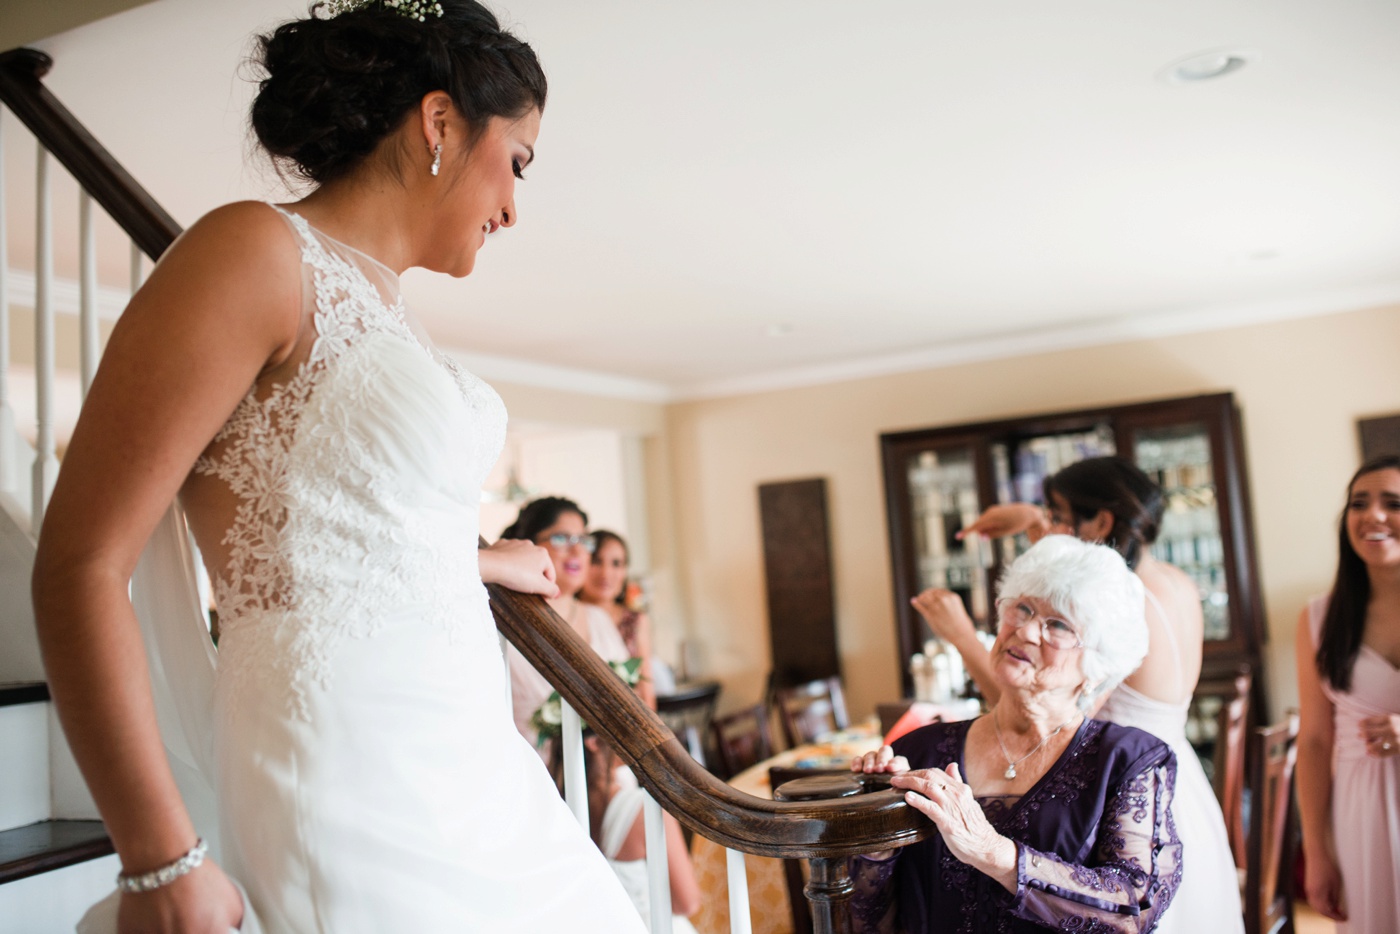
(334,88)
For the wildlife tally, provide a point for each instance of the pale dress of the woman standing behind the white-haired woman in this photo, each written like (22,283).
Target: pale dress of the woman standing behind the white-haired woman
(1209,895)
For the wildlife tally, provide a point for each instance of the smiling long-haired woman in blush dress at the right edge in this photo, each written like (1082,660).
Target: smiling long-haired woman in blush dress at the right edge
(1349,747)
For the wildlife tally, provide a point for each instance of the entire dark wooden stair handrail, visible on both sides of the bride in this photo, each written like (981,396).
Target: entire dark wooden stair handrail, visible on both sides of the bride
(790,830)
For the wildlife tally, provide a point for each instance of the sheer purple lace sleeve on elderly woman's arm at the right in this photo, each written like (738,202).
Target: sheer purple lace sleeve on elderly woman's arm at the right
(1135,872)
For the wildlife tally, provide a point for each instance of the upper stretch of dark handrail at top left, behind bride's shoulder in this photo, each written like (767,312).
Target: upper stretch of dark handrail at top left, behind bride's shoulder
(96,170)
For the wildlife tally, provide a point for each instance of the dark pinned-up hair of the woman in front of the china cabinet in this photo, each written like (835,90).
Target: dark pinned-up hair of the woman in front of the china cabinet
(1121,488)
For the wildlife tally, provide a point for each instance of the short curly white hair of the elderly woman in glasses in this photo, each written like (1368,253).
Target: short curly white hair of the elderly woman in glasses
(1095,592)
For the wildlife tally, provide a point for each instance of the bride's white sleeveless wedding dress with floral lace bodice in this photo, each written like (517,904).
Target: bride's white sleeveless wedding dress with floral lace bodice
(365,764)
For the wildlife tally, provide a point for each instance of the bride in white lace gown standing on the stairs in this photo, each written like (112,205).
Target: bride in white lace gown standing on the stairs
(330,464)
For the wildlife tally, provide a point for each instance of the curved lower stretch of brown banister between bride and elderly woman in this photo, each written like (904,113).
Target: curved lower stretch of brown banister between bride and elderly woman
(699,800)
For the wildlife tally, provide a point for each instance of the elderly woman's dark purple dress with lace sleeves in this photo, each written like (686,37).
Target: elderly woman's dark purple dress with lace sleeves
(1097,848)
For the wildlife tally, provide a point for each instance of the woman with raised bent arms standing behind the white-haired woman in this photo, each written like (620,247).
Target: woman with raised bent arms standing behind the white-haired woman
(1111,501)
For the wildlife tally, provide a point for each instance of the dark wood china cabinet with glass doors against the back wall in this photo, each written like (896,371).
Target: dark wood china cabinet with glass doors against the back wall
(939,480)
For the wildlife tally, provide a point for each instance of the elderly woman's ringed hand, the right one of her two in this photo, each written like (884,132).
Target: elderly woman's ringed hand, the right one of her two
(948,802)
